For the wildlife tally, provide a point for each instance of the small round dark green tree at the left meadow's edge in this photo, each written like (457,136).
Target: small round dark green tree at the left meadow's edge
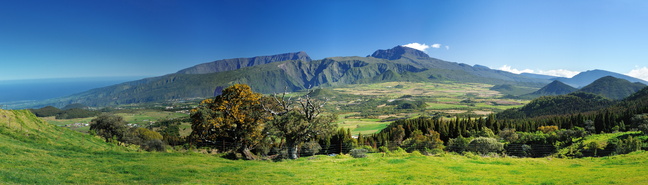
(110,127)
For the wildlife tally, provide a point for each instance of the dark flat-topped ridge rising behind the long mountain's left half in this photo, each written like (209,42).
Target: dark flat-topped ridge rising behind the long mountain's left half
(237,63)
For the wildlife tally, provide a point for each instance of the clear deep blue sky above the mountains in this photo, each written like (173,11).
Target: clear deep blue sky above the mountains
(82,38)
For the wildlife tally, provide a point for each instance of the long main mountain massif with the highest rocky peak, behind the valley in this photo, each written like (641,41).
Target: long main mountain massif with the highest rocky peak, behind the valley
(297,72)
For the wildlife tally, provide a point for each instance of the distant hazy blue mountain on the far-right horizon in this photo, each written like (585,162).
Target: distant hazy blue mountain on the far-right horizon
(587,77)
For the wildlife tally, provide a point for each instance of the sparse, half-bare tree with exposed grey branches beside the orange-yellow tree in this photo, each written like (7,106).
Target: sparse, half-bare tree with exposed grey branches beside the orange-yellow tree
(299,123)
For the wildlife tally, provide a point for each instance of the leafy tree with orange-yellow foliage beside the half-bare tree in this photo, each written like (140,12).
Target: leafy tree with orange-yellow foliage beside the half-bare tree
(236,115)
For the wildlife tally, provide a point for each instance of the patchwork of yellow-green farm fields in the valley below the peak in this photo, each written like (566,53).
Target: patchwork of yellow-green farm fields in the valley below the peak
(441,98)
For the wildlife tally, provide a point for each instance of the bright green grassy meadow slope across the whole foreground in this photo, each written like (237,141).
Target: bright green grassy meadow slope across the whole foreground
(35,152)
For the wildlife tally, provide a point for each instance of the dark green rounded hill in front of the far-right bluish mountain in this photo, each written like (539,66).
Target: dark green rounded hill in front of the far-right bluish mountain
(613,88)
